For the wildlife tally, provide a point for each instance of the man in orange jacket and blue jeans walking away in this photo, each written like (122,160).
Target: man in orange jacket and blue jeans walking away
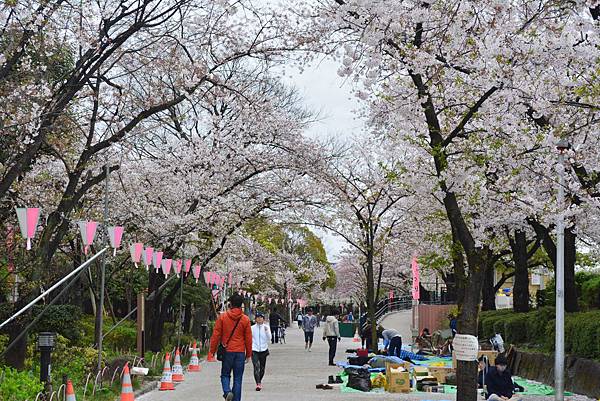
(232,329)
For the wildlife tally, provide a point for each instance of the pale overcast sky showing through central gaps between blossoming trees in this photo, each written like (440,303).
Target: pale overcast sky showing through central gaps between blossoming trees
(329,94)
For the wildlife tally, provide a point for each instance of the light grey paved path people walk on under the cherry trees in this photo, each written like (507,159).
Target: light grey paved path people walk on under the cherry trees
(292,374)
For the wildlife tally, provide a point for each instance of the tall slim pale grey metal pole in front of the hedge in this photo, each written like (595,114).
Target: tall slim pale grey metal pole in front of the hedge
(559,357)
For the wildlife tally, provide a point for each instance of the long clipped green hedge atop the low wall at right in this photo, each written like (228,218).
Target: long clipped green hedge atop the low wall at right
(536,328)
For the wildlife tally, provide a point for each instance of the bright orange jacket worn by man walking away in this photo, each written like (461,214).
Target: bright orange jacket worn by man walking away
(241,341)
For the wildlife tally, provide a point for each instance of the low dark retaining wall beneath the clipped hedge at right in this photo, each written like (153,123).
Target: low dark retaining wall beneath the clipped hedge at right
(581,375)
